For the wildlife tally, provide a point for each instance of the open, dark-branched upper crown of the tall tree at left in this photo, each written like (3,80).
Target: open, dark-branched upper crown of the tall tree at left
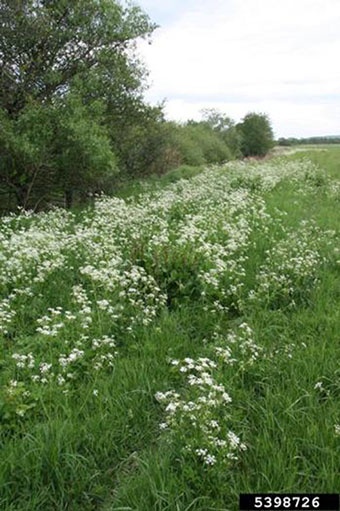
(45,45)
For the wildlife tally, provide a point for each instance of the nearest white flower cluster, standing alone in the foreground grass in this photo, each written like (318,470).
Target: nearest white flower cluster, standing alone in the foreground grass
(198,416)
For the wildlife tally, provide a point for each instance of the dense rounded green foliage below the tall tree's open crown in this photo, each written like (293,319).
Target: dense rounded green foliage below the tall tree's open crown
(56,148)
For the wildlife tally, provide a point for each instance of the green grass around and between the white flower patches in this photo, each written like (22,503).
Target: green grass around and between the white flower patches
(79,451)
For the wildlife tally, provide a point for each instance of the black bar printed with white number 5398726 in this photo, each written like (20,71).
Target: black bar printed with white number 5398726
(289,501)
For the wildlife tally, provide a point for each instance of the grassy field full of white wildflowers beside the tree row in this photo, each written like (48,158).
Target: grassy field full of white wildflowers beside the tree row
(177,345)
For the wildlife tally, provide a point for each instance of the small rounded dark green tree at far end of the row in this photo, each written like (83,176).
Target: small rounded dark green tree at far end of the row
(257,135)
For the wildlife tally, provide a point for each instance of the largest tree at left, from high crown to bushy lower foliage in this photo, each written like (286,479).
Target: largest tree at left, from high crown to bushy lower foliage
(61,63)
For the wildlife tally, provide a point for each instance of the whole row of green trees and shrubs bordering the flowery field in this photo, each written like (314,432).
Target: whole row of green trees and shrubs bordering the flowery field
(72,112)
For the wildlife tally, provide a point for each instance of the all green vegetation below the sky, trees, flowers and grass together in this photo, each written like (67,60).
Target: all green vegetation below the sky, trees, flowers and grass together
(174,342)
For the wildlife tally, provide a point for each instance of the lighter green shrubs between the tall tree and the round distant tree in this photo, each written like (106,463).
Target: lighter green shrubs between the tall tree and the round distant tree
(152,145)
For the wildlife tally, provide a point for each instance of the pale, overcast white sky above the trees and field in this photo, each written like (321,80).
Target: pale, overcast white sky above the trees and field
(279,57)
